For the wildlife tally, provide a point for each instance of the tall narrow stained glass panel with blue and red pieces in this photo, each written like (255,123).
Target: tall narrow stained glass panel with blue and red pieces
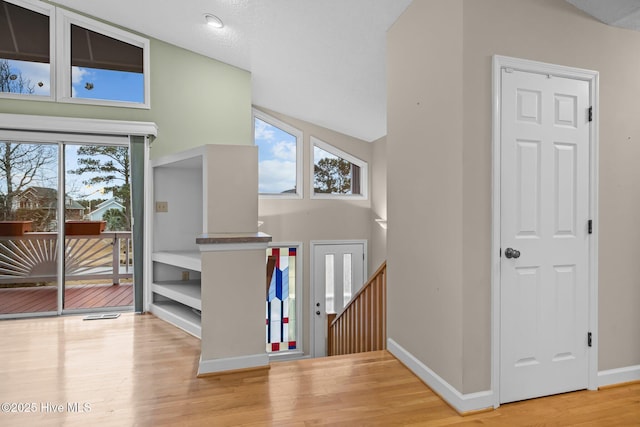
(281,299)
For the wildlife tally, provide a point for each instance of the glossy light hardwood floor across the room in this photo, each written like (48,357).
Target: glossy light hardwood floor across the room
(139,370)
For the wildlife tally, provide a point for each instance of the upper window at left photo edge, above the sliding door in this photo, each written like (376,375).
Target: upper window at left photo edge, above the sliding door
(25,44)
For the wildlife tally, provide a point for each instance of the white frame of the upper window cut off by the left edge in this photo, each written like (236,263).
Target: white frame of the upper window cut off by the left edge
(50,11)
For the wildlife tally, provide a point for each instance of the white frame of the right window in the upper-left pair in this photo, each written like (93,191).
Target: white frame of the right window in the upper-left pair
(64,20)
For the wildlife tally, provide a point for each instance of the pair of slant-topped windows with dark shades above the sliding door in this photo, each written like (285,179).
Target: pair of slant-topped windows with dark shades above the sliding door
(93,63)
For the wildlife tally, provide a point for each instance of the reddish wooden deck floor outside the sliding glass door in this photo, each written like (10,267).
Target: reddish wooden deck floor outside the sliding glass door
(44,298)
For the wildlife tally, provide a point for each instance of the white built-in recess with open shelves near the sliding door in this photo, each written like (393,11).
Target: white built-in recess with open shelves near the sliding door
(177,181)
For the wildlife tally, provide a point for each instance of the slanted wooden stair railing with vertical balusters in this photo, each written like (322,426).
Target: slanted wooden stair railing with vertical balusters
(362,325)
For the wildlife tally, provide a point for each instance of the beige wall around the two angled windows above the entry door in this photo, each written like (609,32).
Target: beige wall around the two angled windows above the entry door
(305,220)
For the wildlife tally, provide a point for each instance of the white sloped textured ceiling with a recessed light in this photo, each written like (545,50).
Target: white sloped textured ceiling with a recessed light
(319,61)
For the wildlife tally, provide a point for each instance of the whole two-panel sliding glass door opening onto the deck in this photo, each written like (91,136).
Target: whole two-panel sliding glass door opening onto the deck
(72,199)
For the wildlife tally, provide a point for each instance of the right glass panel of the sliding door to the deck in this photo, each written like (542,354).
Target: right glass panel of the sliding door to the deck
(98,248)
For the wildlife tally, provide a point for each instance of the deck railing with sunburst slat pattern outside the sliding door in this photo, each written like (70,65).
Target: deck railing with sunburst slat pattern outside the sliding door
(33,257)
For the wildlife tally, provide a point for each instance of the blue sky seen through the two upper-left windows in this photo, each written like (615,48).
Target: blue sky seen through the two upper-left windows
(105,84)
